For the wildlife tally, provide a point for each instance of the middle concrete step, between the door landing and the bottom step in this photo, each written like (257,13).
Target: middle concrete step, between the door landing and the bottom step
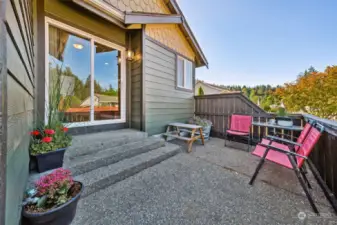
(86,163)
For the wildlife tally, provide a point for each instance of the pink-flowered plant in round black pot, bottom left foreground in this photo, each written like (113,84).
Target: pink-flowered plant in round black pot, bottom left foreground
(54,199)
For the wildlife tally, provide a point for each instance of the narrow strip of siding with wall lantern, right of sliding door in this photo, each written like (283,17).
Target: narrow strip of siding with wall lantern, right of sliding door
(136,82)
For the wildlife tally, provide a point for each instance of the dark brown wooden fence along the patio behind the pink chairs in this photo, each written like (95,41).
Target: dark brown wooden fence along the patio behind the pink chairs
(218,108)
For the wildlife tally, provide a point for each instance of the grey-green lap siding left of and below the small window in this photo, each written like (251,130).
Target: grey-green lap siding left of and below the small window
(163,102)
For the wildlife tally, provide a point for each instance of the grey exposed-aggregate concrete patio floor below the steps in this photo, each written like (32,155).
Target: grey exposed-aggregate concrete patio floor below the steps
(207,186)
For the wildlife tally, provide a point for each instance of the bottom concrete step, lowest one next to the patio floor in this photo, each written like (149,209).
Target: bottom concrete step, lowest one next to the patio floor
(103,177)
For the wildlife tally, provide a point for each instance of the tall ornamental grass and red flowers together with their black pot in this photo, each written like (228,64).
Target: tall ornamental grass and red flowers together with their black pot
(50,140)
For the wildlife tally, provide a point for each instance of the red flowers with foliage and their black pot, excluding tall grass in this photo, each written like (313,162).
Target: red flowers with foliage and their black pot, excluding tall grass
(48,147)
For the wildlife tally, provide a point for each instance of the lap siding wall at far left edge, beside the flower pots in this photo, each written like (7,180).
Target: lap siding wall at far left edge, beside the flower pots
(20,102)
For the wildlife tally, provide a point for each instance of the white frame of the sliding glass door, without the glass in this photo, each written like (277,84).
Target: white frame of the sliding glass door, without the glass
(92,38)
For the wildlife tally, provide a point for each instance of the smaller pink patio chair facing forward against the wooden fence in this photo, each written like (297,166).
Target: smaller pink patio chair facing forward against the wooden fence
(239,126)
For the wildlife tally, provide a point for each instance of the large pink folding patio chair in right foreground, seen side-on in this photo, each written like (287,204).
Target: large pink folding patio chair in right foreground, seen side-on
(283,155)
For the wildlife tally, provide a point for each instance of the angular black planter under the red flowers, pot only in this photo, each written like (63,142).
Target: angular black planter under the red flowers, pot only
(50,160)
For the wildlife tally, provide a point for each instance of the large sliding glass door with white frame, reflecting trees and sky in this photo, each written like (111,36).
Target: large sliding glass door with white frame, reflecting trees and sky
(85,77)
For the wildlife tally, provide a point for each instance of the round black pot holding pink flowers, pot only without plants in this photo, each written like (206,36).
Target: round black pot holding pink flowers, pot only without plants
(62,215)
